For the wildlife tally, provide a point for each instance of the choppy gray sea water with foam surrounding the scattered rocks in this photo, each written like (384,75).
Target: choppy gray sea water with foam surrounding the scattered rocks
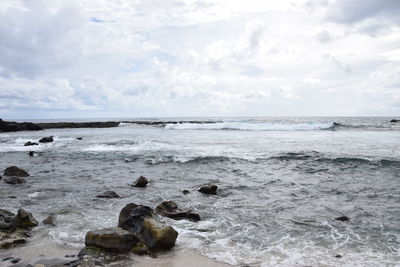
(282,182)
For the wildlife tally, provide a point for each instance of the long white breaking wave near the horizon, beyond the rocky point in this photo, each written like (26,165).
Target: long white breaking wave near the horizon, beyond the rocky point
(249,126)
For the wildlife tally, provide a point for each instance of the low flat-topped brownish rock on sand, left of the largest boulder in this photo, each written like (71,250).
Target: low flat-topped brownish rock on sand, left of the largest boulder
(111,239)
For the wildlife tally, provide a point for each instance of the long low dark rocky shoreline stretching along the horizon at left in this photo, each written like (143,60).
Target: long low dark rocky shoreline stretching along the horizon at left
(10,126)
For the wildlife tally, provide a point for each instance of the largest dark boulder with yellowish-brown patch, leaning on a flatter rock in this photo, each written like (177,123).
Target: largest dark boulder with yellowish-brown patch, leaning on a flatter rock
(155,235)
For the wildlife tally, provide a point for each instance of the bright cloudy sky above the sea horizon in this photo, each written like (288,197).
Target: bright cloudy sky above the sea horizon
(198,58)
